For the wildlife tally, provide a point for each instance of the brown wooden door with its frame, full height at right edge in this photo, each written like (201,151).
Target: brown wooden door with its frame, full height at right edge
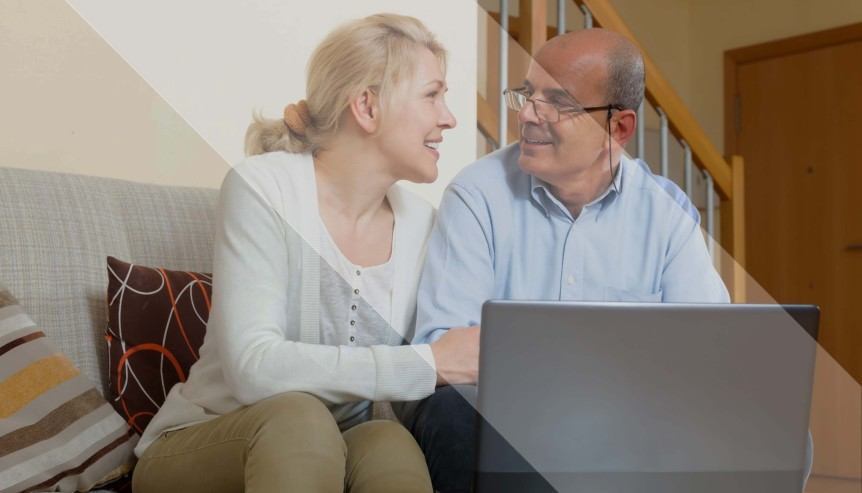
(794,112)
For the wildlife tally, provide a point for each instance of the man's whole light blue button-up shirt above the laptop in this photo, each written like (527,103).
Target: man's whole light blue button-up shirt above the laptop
(501,234)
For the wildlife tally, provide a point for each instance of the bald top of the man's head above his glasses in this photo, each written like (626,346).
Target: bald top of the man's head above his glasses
(599,57)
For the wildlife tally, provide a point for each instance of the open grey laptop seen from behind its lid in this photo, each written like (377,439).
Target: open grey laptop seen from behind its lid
(620,397)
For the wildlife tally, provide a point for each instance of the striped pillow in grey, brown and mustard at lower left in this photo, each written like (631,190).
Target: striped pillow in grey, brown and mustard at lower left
(57,433)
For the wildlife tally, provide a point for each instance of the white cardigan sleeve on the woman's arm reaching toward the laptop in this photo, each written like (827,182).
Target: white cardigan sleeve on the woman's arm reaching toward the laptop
(258,347)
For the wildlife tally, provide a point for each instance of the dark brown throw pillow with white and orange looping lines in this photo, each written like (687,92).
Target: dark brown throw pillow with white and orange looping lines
(156,324)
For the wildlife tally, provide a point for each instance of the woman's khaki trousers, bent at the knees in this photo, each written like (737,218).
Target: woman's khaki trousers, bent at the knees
(286,443)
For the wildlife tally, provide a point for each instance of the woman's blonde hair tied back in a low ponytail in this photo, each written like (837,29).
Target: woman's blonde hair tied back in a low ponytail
(373,52)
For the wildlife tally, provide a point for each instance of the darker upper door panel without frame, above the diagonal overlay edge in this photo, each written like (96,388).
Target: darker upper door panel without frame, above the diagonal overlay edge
(798,126)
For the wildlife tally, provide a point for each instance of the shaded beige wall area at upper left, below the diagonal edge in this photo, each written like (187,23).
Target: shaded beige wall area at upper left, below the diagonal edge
(69,103)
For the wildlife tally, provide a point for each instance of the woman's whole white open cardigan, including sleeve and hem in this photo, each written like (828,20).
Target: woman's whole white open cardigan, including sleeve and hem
(264,330)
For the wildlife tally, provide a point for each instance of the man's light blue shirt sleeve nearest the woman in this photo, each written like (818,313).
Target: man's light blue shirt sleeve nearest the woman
(458,276)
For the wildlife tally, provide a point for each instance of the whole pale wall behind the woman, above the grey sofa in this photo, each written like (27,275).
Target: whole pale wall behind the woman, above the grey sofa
(143,78)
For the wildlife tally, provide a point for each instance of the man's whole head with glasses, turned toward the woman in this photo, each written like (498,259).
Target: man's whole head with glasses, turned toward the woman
(581,69)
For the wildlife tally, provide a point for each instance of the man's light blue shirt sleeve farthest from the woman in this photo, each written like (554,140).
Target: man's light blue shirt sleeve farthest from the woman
(689,275)
